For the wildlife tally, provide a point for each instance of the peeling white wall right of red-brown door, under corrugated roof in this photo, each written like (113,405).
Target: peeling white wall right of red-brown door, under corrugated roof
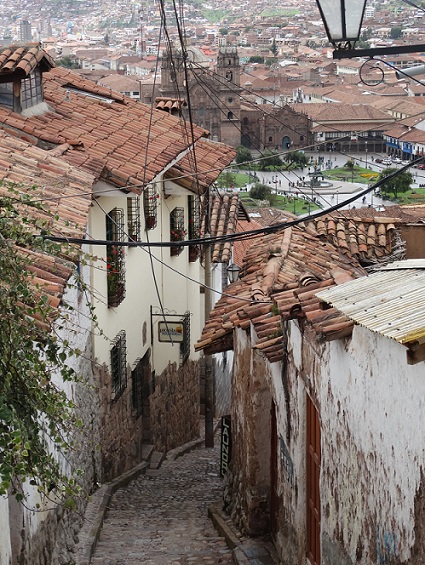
(371,407)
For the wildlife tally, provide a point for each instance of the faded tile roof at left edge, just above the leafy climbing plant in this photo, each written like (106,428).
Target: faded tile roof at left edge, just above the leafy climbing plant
(65,191)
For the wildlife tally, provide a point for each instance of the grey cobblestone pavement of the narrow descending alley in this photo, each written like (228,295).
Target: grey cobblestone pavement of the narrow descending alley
(161,517)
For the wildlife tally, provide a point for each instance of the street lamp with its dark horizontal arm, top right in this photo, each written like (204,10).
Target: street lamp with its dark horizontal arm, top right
(343,22)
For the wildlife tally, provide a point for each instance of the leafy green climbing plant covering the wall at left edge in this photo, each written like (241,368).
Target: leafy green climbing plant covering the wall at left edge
(37,419)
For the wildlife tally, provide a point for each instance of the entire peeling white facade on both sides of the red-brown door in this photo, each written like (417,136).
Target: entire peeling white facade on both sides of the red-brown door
(370,403)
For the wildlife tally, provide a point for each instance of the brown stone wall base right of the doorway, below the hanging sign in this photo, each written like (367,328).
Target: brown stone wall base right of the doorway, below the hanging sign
(175,406)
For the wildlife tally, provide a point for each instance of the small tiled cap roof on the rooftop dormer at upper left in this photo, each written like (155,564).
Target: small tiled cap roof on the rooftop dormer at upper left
(23,59)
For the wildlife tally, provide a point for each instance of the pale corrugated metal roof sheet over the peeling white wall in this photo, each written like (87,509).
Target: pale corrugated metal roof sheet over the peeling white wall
(390,302)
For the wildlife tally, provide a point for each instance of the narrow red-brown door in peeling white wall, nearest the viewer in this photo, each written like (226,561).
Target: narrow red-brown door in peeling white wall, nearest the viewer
(313,478)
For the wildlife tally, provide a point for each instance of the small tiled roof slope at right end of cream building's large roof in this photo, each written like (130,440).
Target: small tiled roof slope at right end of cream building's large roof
(214,157)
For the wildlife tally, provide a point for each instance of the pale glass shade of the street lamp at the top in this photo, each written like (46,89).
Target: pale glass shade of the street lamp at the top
(342,18)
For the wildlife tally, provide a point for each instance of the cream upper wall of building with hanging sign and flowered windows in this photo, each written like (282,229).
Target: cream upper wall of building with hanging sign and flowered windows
(173,291)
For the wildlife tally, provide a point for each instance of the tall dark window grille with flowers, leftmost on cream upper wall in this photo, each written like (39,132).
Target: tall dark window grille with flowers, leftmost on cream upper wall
(115,257)
